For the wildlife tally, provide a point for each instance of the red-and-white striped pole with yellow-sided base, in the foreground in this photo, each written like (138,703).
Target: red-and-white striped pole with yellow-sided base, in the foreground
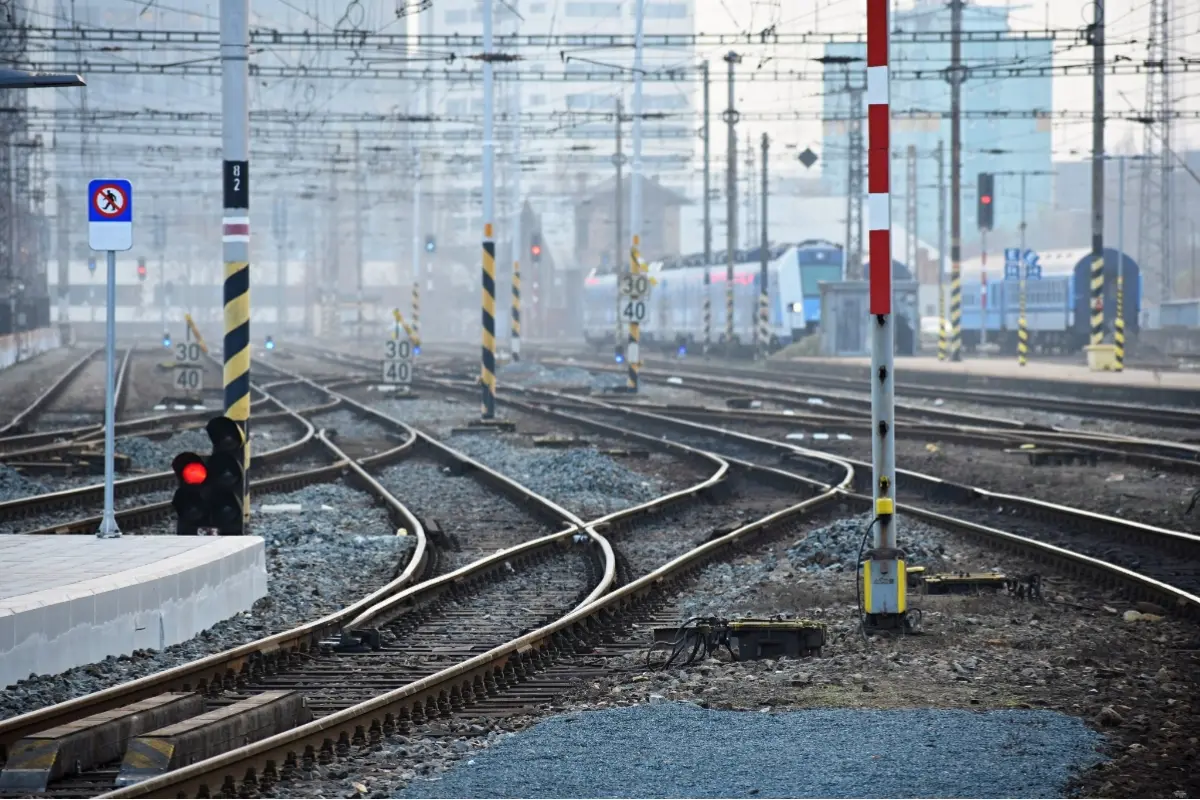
(884,574)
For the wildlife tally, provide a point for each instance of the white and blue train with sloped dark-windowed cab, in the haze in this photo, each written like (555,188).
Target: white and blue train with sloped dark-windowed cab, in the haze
(675,308)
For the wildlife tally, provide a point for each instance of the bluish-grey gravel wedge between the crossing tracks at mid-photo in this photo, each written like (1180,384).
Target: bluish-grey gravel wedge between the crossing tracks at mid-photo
(581,480)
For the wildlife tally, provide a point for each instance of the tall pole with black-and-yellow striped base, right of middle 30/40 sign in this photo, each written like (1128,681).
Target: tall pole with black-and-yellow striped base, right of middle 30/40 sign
(488,371)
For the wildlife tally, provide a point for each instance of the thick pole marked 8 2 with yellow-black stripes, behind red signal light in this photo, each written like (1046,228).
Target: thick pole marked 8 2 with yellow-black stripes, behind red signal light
(236,147)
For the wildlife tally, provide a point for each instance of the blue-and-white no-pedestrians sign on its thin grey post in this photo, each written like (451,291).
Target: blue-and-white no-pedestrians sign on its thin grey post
(110,230)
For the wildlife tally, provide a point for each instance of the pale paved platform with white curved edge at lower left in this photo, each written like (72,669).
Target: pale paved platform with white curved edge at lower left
(68,601)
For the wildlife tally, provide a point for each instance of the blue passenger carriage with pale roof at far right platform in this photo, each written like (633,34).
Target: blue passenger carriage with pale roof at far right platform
(1058,305)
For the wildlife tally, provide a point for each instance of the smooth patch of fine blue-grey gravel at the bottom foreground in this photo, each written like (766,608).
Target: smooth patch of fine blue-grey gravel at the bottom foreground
(679,750)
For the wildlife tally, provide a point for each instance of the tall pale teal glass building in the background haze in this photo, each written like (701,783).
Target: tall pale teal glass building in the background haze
(1018,145)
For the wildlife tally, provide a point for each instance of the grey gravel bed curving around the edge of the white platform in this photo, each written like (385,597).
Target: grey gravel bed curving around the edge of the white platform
(317,563)
